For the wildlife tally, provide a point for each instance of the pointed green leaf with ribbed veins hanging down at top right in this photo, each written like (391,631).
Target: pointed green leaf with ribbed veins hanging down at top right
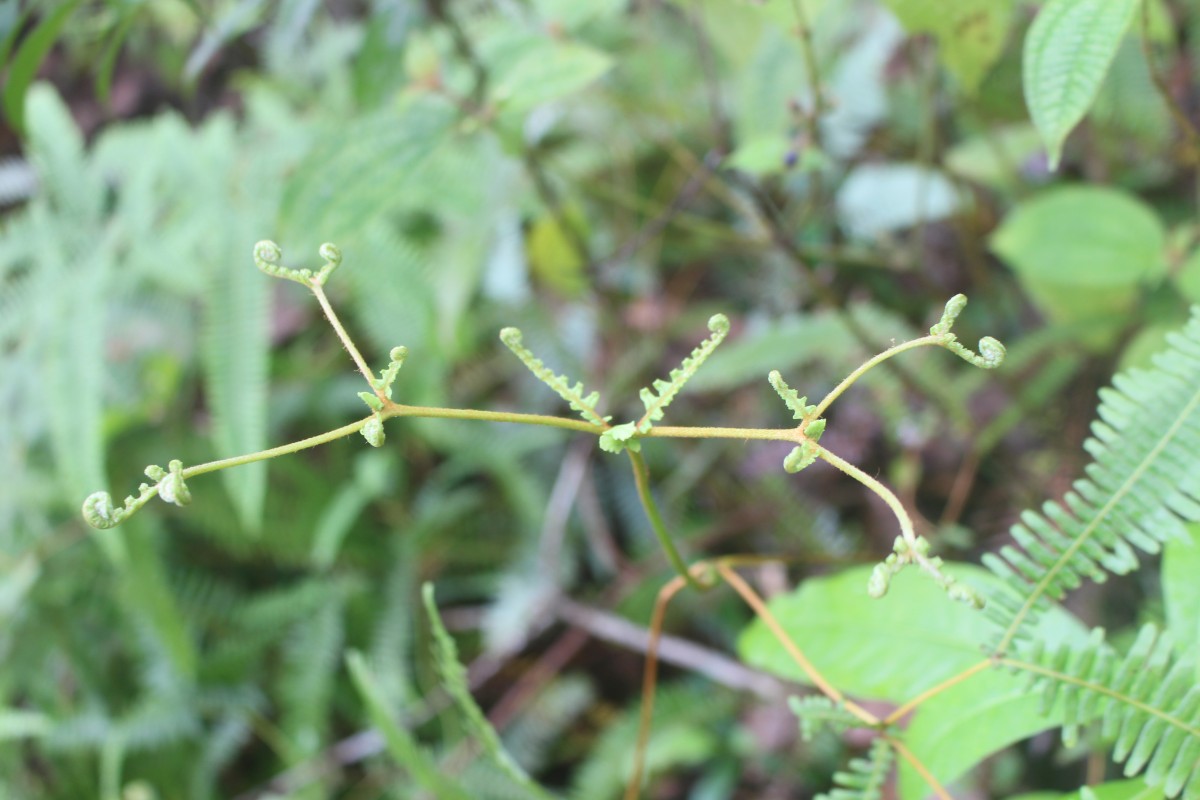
(1067,53)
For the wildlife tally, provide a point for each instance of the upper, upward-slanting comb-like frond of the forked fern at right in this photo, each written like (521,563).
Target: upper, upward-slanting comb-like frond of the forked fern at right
(1143,484)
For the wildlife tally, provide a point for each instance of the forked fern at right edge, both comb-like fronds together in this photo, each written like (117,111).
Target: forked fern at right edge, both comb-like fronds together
(1138,494)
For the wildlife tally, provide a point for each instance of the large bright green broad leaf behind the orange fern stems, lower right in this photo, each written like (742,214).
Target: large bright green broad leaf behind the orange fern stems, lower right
(897,647)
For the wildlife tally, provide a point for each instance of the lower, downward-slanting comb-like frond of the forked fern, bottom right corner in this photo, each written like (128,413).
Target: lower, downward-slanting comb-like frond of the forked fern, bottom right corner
(1149,703)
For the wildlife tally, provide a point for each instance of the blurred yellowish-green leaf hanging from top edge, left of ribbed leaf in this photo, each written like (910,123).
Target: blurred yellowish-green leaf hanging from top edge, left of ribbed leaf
(970,33)
